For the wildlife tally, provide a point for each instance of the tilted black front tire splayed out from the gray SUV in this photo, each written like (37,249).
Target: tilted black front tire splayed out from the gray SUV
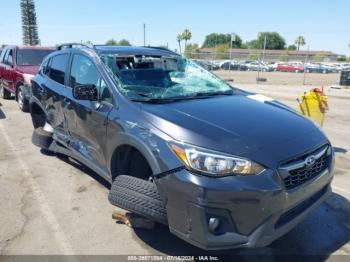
(138,196)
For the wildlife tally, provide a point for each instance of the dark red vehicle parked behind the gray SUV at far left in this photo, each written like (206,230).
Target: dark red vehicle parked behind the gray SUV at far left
(18,65)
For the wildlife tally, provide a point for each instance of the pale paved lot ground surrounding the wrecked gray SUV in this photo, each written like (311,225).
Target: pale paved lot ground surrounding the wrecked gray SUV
(50,205)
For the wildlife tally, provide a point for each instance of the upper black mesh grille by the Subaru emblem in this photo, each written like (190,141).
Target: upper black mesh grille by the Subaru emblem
(299,176)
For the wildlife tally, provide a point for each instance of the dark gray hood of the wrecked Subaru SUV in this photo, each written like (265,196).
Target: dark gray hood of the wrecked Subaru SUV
(262,131)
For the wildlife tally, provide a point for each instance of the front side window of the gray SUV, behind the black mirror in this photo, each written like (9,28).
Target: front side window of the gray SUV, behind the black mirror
(84,72)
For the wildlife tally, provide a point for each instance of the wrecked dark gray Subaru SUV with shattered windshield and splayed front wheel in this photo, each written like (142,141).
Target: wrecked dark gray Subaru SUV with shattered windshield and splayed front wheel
(223,168)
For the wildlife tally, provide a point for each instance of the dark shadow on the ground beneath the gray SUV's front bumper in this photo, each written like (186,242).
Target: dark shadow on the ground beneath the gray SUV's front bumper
(321,234)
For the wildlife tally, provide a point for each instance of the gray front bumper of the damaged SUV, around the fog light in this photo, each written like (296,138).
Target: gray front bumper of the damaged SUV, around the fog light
(254,211)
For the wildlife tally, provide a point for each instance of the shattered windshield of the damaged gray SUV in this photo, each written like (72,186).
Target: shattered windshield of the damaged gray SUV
(164,78)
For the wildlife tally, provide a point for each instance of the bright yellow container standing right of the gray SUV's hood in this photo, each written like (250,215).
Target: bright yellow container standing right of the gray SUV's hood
(314,105)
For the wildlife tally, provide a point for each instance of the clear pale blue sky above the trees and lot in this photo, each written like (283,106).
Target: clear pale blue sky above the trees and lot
(324,23)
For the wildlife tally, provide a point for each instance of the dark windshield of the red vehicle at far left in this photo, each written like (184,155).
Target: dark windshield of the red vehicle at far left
(31,57)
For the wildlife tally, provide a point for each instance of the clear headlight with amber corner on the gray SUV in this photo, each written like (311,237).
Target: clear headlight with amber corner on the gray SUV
(214,163)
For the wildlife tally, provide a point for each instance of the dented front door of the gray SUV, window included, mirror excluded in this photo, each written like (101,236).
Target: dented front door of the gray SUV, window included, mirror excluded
(90,125)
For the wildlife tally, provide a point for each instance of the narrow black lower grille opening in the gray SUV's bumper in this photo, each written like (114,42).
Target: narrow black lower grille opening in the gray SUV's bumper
(297,210)
